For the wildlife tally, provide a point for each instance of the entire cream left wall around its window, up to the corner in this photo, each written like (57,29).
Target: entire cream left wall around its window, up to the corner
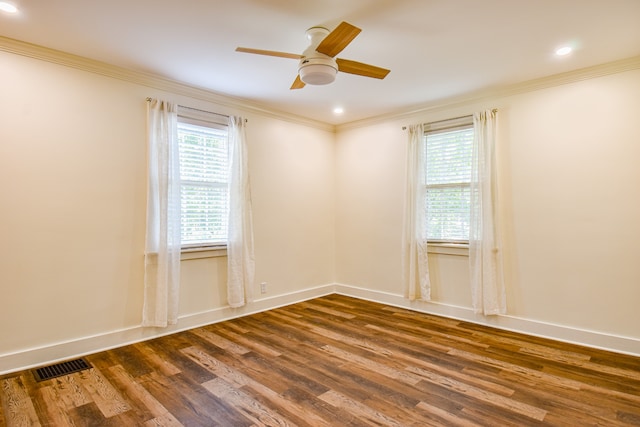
(72,222)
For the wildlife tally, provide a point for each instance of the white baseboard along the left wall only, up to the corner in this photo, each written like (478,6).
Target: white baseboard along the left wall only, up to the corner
(53,353)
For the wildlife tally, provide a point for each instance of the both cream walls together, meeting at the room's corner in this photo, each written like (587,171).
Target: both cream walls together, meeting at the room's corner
(327,208)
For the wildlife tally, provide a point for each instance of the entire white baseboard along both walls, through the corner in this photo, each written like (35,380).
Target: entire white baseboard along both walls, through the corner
(29,358)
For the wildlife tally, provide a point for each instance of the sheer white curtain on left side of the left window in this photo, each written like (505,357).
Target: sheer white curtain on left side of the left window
(162,248)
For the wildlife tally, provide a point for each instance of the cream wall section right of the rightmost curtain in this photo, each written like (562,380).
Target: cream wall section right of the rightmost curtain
(571,161)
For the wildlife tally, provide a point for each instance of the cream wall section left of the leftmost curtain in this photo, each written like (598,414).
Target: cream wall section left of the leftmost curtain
(72,185)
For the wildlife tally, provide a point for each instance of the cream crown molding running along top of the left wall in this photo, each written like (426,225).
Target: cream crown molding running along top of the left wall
(42,53)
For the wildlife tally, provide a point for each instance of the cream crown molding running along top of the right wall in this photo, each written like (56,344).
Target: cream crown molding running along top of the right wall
(615,67)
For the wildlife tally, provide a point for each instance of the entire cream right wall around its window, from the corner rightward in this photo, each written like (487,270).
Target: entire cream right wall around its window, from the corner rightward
(569,198)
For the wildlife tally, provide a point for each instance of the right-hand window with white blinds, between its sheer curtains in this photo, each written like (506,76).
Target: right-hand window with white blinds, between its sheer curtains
(448,153)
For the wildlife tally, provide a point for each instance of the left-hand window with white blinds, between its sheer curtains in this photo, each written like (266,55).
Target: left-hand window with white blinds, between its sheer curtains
(204,188)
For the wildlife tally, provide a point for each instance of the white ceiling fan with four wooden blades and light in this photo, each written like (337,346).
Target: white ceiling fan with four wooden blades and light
(318,65)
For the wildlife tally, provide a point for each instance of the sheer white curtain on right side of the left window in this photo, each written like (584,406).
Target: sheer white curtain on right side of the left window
(240,254)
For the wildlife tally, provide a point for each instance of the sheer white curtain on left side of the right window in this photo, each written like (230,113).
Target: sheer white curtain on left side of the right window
(414,242)
